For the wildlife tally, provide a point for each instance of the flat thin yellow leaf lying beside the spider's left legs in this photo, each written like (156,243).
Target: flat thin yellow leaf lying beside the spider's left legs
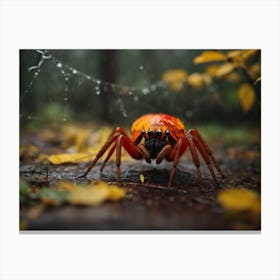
(70,158)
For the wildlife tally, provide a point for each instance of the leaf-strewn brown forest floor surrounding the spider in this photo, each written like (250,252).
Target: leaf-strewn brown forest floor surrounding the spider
(147,203)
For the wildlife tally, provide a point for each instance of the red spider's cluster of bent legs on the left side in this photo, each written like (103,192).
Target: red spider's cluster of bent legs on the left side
(117,139)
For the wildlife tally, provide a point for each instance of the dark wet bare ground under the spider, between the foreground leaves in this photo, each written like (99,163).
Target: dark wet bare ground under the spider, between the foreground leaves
(149,205)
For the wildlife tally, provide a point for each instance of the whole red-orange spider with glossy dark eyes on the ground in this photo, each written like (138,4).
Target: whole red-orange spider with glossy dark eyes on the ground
(158,137)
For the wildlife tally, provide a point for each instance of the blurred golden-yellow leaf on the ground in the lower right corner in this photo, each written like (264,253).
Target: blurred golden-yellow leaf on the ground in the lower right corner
(235,199)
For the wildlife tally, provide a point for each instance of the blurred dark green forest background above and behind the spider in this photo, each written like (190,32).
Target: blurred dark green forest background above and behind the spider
(117,86)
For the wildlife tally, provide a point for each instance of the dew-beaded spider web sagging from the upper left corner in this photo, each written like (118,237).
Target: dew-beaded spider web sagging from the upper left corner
(98,87)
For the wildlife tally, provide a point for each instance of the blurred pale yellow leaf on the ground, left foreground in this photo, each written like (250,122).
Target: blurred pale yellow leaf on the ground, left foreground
(95,194)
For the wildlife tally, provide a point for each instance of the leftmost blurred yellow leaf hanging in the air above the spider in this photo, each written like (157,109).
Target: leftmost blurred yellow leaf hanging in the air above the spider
(175,78)
